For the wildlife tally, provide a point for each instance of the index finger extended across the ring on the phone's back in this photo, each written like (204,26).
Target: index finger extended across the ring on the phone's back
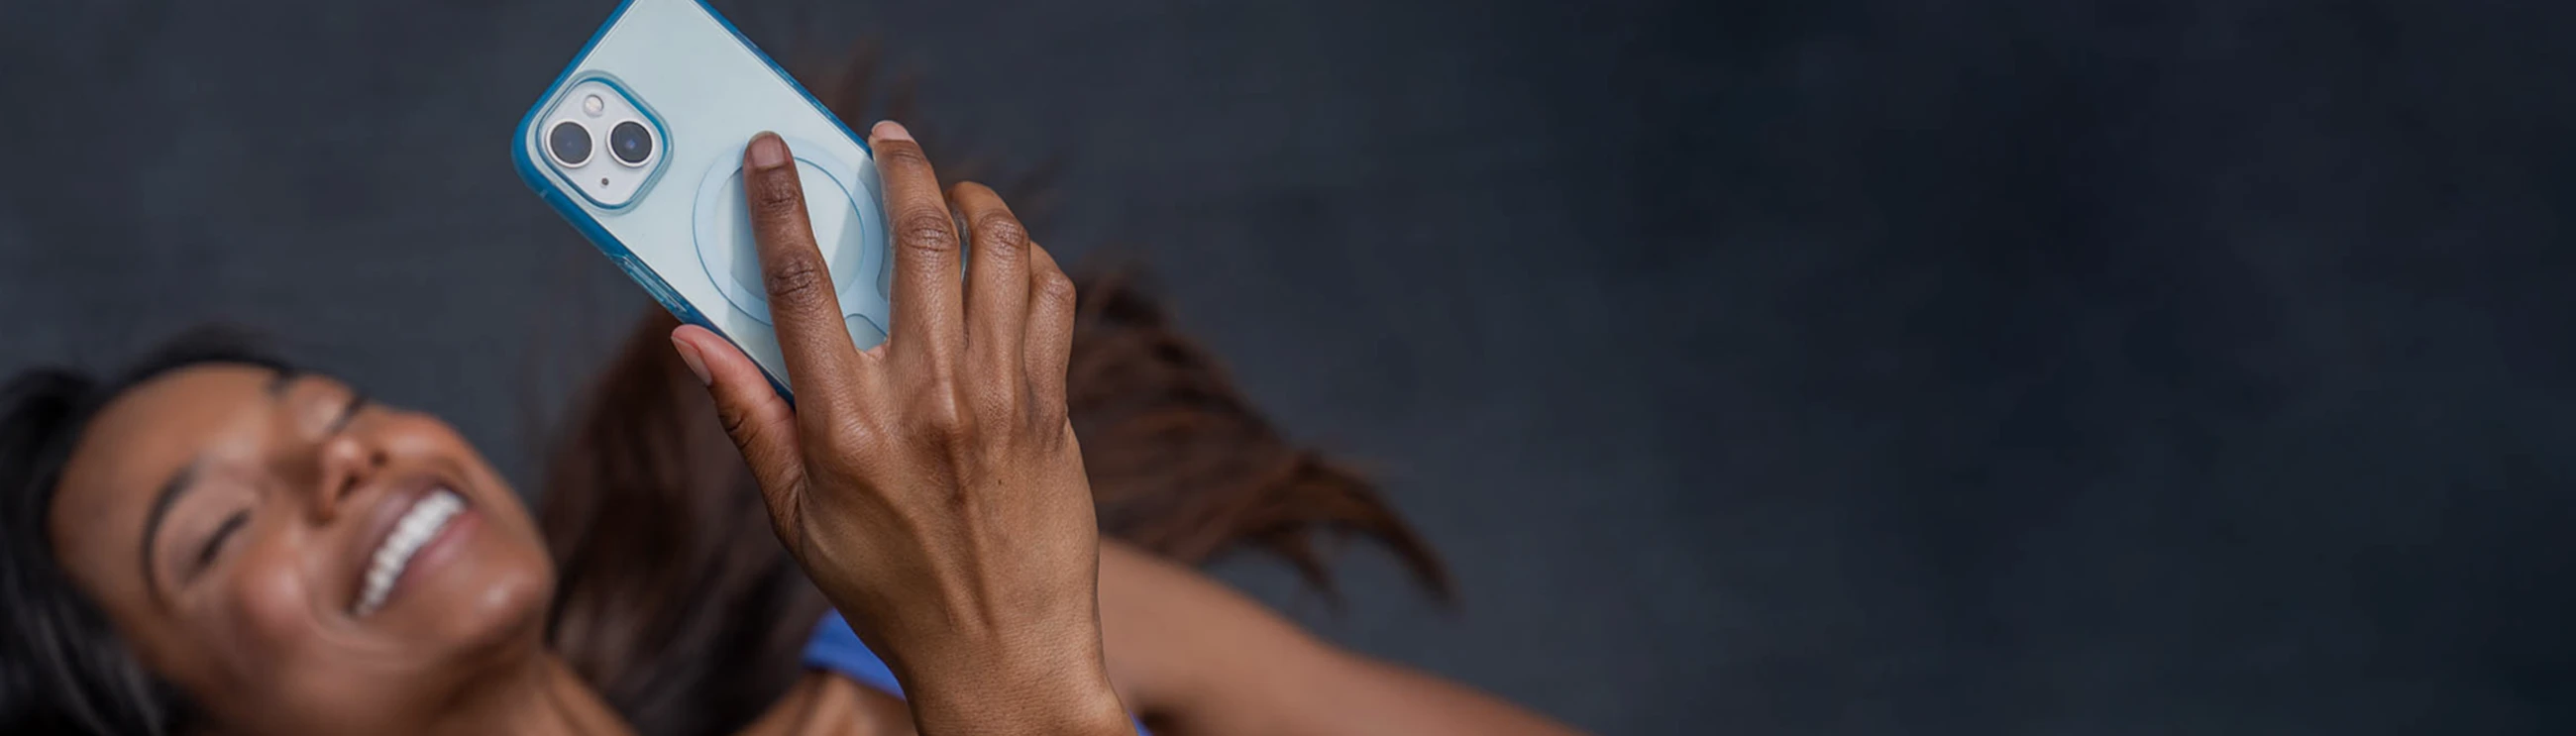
(800,284)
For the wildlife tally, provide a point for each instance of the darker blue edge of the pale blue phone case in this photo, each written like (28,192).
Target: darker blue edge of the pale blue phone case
(591,228)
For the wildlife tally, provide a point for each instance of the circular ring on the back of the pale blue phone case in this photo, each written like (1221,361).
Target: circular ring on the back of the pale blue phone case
(849,235)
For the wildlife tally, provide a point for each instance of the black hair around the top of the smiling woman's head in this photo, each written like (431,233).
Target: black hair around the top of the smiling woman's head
(63,668)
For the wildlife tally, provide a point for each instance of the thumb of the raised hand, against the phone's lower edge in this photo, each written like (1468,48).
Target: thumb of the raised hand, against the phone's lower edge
(761,423)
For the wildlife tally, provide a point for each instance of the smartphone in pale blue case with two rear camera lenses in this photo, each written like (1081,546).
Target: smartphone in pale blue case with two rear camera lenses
(640,145)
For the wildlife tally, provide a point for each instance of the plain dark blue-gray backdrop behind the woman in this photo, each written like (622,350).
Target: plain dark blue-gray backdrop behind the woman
(1761,367)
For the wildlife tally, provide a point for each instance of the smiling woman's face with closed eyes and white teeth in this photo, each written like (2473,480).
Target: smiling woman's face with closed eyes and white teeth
(295,557)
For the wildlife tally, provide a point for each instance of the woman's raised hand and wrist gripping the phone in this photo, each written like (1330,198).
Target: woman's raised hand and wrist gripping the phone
(931,485)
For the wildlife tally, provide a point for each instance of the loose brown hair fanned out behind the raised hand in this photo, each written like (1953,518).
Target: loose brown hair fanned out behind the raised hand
(684,611)
